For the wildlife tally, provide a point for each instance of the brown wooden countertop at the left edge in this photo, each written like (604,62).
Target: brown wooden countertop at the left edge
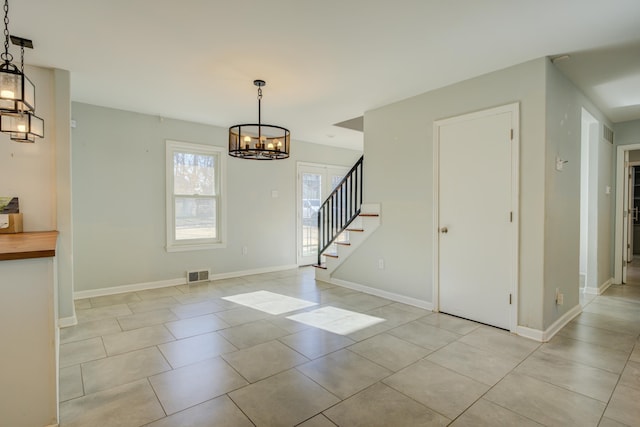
(40,244)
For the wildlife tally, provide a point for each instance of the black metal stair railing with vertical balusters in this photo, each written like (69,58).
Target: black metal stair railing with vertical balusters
(340,209)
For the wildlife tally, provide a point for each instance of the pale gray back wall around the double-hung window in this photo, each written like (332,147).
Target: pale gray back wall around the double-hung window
(119,200)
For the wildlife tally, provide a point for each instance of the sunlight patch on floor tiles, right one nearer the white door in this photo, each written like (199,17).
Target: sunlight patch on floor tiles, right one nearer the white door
(336,320)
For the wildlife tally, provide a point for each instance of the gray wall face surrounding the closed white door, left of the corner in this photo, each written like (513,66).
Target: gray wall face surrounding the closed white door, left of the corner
(399,175)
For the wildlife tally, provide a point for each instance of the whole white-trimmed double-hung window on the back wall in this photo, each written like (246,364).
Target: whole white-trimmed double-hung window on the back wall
(195,196)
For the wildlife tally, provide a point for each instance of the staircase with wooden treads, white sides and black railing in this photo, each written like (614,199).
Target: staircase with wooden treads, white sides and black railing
(344,222)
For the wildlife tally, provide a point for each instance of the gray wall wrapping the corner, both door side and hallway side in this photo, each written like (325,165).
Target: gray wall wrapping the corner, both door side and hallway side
(399,176)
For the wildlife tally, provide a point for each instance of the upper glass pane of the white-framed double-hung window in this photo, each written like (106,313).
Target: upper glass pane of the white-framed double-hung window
(194,174)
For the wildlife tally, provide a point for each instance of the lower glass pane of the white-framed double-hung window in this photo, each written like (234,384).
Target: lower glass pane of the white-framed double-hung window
(195,218)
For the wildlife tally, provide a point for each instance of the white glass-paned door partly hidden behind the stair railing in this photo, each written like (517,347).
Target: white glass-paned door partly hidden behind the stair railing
(315,183)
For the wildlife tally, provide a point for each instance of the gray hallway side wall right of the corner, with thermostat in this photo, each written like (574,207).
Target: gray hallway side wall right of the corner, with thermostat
(562,200)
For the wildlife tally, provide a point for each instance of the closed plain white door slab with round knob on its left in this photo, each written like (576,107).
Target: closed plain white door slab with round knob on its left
(475,210)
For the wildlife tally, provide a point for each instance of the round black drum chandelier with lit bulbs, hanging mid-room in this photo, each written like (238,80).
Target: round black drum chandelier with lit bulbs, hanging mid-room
(259,141)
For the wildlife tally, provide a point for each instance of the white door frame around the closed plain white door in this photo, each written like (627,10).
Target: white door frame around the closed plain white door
(514,109)
